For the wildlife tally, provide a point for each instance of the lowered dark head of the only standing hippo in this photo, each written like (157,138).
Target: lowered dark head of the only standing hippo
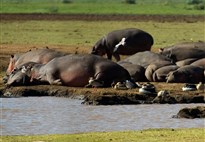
(99,48)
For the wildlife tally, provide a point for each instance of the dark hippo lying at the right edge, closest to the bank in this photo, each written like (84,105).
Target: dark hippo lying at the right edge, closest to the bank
(186,74)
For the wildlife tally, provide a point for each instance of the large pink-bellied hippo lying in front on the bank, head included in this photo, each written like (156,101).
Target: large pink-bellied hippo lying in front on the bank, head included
(71,70)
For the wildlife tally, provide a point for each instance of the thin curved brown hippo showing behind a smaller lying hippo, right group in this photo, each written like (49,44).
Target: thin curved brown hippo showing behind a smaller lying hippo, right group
(153,67)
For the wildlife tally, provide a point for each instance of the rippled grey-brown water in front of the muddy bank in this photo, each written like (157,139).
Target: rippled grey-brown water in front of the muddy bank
(53,115)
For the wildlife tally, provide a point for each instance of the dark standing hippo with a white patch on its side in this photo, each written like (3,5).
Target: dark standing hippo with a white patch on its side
(123,42)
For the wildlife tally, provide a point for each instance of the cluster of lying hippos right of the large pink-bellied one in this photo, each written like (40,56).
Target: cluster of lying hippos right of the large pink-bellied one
(180,63)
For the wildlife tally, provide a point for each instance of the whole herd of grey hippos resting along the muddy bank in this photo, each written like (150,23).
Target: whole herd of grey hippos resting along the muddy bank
(179,63)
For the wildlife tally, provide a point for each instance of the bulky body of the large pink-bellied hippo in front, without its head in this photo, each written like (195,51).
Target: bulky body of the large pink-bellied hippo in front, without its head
(75,70)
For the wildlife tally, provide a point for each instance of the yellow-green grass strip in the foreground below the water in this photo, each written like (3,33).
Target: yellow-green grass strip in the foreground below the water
(152,135)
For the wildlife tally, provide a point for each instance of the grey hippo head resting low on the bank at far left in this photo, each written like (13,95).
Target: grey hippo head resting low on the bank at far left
(17,78)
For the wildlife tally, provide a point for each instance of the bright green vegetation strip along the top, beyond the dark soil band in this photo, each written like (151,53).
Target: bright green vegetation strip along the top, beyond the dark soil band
(183,7)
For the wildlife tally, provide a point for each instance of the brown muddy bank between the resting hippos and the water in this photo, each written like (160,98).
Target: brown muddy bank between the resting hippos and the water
(106,96)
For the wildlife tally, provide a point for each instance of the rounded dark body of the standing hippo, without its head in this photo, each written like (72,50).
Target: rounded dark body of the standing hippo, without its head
(137,39)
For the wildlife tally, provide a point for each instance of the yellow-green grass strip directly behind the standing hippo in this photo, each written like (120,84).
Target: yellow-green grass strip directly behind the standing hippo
(86,33)
